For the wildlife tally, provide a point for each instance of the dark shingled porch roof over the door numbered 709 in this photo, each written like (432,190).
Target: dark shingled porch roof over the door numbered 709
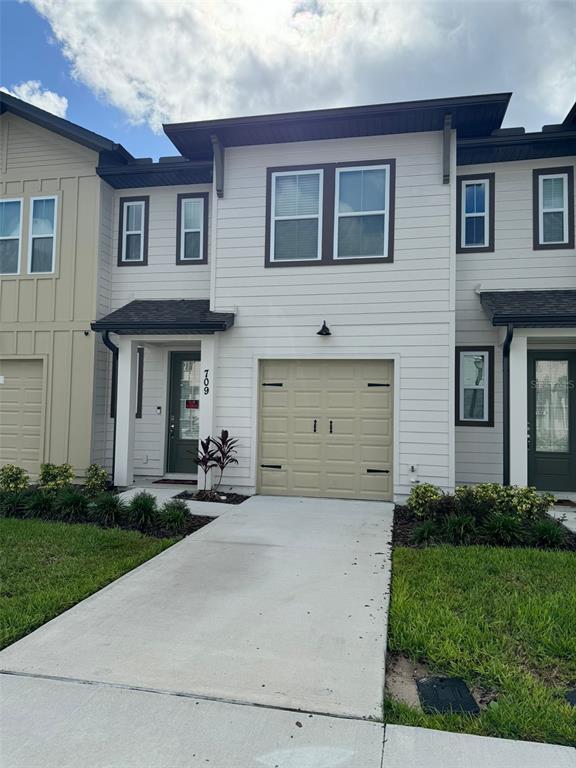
(165,316)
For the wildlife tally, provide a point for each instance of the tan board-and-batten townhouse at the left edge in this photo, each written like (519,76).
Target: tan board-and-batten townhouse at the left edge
(50,239)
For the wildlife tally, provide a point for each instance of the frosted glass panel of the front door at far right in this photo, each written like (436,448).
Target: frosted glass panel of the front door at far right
(552,396)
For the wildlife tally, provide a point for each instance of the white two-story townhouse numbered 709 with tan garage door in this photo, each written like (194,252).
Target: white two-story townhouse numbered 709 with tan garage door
(301,295)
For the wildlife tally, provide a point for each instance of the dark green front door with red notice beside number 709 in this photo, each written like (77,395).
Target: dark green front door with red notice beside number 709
(183,412)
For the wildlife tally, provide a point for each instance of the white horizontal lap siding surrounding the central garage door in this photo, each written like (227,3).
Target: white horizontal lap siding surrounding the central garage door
(399,311)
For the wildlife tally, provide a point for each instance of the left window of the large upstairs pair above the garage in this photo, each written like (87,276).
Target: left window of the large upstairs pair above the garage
(296,216)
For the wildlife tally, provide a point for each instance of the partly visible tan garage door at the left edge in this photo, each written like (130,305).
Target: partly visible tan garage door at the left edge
(21,413)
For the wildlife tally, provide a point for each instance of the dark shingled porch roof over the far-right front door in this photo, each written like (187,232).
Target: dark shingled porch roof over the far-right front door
(531,309)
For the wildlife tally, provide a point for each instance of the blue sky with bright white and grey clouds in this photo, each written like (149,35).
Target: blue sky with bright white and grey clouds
(123,67)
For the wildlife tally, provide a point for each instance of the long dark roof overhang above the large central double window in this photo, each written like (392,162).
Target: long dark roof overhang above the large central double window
(471,116)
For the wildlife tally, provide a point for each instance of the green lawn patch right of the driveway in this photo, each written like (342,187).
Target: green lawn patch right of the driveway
(505,621)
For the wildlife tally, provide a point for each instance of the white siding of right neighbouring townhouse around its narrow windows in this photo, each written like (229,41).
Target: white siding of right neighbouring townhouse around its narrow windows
(514,265)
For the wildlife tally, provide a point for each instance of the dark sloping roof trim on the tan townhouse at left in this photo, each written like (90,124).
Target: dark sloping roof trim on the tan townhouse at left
(63,127)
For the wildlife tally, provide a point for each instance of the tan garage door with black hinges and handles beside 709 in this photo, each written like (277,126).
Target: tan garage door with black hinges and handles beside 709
(326,428)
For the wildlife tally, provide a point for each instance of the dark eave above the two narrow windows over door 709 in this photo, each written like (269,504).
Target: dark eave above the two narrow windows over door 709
(161,174)
